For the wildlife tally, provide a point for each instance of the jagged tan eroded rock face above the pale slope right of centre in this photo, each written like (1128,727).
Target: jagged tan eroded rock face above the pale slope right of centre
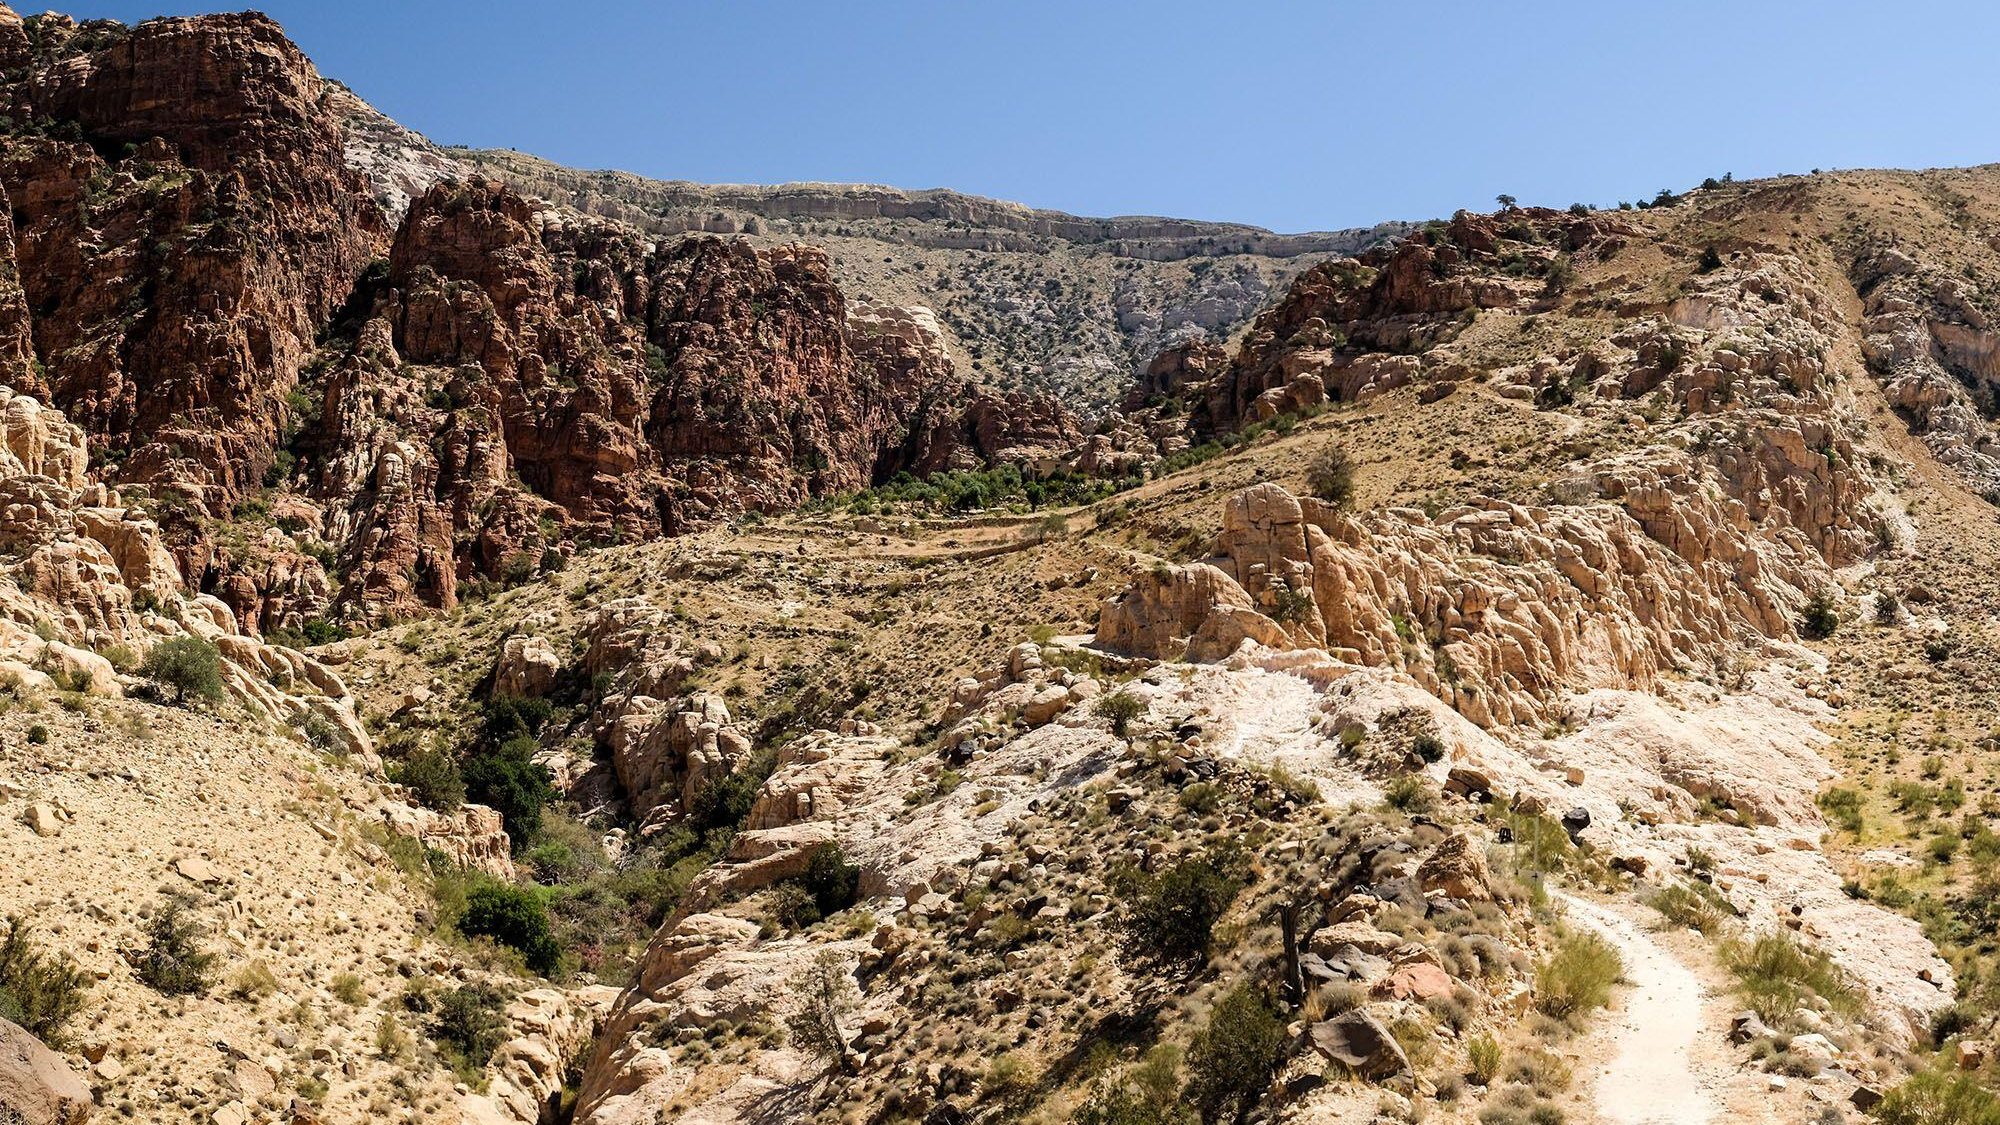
(1493,608)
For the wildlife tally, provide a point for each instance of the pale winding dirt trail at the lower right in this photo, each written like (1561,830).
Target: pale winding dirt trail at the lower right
(1651,1078)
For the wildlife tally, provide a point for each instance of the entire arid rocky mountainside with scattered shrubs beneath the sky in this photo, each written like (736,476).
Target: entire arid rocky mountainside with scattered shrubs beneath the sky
(509,646)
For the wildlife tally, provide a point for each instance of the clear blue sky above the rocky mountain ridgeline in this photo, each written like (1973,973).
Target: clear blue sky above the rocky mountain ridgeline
(1287,115)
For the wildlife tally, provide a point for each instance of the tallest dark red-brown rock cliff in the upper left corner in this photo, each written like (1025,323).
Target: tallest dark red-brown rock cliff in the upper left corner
(183,229)
